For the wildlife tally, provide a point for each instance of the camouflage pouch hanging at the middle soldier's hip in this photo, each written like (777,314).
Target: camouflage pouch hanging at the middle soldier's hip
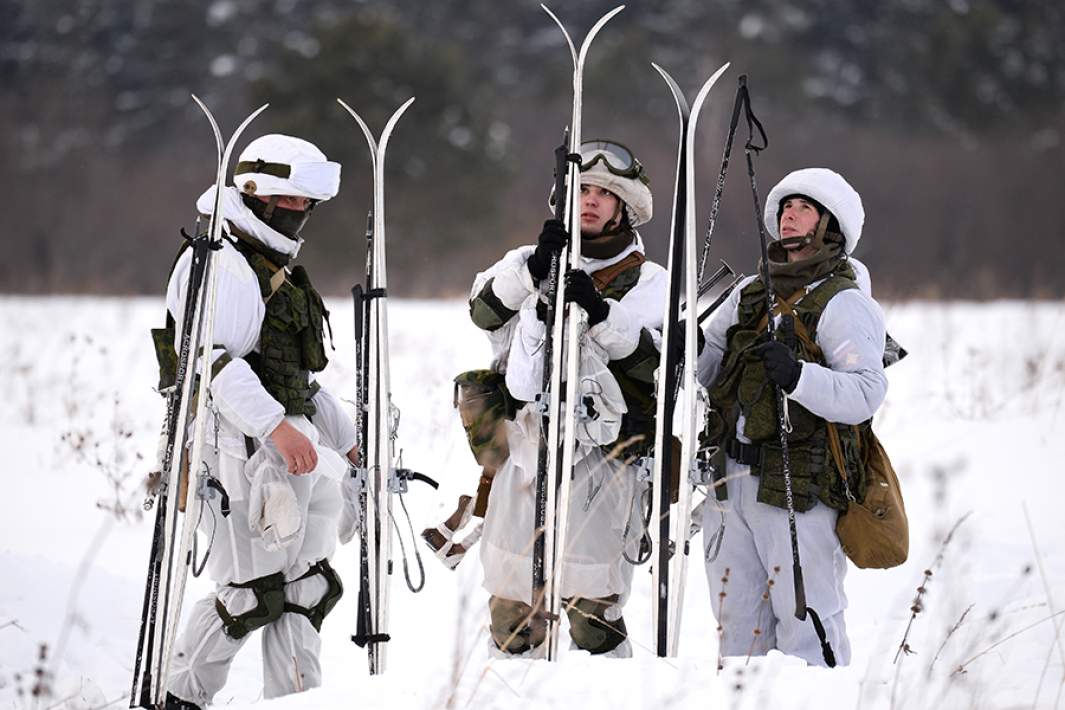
(484,405)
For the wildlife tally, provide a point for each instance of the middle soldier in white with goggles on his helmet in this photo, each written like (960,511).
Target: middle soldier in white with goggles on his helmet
(622,295)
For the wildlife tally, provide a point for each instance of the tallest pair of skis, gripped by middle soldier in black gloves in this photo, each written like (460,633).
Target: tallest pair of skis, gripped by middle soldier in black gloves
(558,444)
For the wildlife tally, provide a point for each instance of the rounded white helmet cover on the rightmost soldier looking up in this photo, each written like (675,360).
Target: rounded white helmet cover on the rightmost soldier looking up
(829,189)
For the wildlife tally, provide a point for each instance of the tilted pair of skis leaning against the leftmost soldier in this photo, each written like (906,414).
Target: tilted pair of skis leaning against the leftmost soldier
(184,480)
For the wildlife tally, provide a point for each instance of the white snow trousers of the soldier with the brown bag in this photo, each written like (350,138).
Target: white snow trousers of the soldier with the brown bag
(757,617)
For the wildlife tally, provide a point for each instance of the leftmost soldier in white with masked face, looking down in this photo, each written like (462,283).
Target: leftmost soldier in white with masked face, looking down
(277,441)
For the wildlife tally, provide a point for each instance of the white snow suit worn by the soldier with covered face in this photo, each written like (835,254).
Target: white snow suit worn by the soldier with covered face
(281,523)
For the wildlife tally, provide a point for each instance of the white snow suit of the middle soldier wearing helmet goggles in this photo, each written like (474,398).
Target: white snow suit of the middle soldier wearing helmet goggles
(602,489)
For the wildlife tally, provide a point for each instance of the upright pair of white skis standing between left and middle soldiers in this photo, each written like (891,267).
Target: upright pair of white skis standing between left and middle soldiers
(379,475)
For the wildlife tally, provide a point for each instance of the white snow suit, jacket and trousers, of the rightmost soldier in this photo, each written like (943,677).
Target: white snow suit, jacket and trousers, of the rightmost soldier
(757,544)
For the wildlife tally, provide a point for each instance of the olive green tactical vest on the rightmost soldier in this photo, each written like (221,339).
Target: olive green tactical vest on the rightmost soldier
(743,387)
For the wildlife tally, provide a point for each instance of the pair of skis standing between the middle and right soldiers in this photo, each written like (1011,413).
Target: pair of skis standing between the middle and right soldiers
(677,375)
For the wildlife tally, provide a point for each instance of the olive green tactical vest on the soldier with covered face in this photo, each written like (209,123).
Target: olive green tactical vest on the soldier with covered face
(291,342)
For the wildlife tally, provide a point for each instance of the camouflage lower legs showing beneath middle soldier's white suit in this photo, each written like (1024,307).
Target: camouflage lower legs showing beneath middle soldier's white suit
(596,625)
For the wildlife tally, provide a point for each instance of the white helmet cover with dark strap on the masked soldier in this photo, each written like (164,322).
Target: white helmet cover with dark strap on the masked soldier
(278,164)
